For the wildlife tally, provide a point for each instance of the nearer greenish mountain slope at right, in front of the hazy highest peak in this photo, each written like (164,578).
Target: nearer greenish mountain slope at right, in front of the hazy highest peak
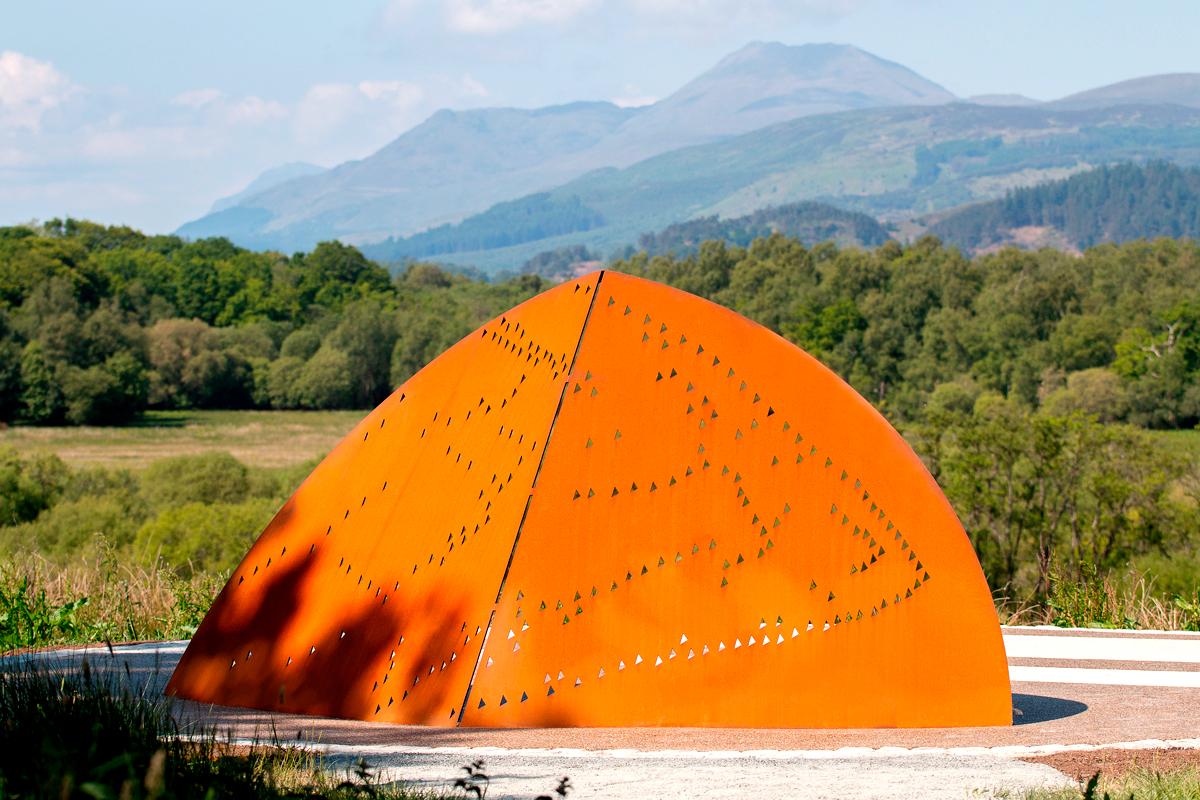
(893,164)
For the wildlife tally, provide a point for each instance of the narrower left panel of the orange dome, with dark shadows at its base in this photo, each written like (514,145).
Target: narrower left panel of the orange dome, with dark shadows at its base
(369,594)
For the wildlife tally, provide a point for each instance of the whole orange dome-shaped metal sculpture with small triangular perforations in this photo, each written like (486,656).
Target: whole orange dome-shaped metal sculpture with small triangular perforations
(617,506)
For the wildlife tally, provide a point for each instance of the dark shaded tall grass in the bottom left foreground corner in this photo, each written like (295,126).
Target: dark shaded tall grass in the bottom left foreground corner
(79,733)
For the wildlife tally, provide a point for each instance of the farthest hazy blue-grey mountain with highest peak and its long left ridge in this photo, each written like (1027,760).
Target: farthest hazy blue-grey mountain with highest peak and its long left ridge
(457,164)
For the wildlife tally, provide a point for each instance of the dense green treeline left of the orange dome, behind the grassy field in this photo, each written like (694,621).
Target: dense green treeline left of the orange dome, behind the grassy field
(98,324)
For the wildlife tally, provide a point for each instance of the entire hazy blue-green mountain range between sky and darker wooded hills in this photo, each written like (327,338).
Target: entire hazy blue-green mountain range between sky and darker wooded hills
(628,170)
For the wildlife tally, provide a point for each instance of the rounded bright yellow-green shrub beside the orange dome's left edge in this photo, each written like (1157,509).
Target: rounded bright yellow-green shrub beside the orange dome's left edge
(205,538)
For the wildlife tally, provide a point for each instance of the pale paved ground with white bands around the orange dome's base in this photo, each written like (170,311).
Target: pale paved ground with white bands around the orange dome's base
(1071,690)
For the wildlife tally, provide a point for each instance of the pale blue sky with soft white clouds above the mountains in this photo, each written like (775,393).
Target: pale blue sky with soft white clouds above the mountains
(143,113)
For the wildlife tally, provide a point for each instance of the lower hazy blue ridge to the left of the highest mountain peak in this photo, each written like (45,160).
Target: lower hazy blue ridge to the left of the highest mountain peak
(455,163)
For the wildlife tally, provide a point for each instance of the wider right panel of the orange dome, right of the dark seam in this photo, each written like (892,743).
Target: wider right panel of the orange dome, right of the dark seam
(725,534)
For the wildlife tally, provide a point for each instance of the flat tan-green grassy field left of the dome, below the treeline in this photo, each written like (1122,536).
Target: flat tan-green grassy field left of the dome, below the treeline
(272,440)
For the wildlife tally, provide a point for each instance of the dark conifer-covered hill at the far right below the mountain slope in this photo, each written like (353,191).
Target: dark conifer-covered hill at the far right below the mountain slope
(1112,204)
